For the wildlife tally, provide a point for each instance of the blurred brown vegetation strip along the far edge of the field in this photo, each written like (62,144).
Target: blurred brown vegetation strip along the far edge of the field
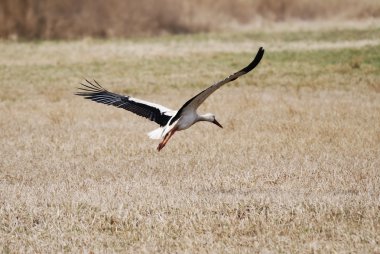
(71,19)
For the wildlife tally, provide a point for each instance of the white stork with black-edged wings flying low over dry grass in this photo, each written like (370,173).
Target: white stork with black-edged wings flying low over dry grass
(169,120)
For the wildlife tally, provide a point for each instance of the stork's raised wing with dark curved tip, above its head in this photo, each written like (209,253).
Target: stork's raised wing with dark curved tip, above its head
(198,99)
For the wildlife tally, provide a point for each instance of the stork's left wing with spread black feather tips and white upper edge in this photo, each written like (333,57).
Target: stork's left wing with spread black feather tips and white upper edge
(152,111)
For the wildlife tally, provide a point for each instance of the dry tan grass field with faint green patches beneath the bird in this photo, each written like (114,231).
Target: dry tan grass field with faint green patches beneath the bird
(296,168)
